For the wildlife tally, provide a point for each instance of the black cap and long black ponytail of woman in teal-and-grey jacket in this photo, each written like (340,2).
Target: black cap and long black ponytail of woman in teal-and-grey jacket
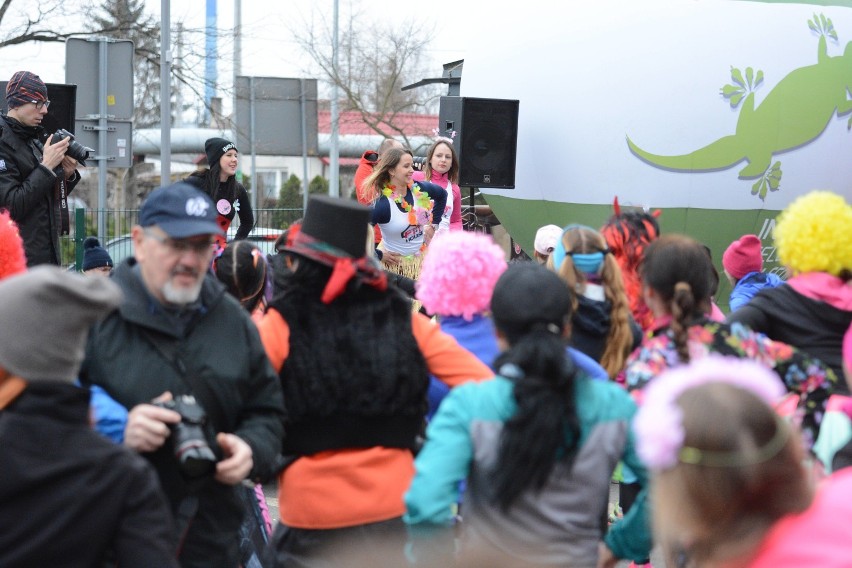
(545,429)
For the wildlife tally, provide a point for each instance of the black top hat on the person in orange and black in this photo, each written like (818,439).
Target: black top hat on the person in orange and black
(340,223)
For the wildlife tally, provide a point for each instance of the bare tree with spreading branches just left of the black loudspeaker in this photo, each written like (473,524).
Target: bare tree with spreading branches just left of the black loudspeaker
(375,60)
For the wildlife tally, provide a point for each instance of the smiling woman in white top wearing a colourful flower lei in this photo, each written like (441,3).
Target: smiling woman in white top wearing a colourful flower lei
(408,213)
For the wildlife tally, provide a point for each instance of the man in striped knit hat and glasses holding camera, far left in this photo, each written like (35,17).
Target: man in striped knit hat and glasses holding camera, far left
(35,178)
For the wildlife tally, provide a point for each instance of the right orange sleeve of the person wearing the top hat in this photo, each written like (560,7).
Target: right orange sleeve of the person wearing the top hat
(445,358)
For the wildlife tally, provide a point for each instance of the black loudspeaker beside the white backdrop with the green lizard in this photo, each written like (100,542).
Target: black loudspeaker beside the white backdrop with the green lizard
(486,139)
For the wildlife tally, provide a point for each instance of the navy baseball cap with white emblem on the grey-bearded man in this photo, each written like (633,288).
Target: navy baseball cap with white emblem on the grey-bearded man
(181,211)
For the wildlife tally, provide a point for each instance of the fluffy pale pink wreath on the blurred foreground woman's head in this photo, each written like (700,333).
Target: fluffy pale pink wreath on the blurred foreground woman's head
(659,423)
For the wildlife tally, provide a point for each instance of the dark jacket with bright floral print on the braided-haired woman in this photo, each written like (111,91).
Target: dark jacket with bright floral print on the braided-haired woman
(803,375)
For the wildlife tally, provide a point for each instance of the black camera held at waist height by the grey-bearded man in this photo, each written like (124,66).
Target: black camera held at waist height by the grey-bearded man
(192,452)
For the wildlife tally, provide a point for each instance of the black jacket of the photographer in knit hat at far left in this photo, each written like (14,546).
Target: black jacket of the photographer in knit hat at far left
(27,191)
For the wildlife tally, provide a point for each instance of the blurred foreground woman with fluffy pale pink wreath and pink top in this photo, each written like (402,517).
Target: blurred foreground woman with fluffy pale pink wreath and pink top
(729,484)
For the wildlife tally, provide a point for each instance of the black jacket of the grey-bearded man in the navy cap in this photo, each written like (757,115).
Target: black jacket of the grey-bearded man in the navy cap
(221,348)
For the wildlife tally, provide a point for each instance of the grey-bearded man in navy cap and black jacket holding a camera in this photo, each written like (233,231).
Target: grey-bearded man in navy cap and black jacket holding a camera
(206,408)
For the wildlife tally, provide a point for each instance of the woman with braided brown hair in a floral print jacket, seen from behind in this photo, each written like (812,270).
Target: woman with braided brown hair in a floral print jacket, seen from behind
(677,277)
